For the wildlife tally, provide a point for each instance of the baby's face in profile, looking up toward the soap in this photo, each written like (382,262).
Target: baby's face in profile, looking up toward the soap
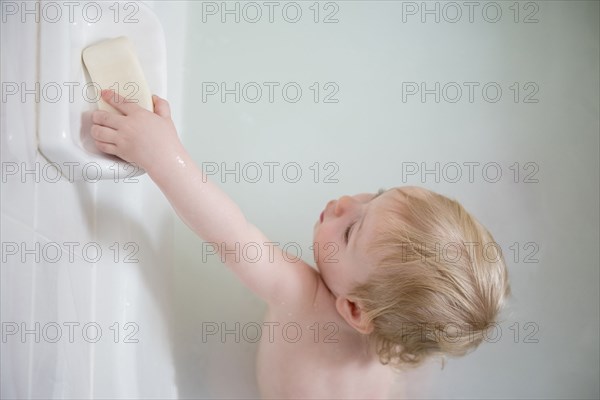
(341,236)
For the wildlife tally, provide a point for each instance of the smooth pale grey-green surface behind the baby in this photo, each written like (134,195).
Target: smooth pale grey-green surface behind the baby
(370,134)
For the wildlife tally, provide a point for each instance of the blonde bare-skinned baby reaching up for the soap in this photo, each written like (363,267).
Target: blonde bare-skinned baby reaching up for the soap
(402,275)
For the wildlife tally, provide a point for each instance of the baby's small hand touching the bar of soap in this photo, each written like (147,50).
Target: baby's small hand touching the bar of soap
(139,136)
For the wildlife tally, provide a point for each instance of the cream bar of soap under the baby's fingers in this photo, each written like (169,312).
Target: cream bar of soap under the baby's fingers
(113,64)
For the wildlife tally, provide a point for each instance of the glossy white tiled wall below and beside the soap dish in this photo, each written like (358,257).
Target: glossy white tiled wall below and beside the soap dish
(138,363)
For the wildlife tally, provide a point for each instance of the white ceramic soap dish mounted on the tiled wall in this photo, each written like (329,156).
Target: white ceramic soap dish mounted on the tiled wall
(64,121)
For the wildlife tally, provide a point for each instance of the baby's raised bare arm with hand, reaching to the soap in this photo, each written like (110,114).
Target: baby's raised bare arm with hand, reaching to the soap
(150,141)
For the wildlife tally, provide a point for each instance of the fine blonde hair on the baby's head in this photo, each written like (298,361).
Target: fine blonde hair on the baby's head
(439,283)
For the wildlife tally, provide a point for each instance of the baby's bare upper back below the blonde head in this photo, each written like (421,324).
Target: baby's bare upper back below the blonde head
(314,354)
